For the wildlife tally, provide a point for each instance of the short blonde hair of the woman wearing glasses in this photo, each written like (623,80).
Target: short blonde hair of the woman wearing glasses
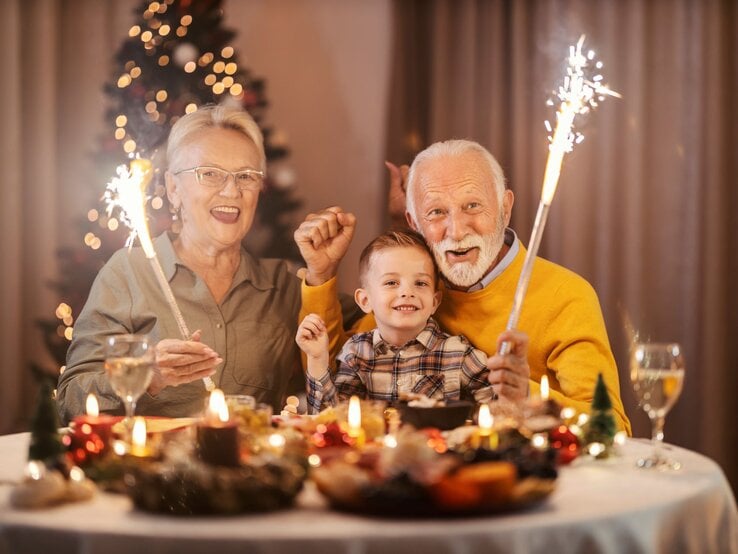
(224,117)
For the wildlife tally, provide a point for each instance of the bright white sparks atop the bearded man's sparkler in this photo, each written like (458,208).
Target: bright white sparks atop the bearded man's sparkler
(578,95)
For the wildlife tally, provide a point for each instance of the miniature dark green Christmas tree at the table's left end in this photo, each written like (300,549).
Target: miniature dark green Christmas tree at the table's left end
(46,445)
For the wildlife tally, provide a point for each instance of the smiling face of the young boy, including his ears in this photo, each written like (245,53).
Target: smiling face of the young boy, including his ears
(400,288)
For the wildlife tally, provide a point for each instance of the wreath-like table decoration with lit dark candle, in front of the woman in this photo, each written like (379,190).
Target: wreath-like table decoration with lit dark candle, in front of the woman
(184,482)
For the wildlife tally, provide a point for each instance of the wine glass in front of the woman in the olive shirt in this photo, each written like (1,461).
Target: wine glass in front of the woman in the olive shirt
(129,362)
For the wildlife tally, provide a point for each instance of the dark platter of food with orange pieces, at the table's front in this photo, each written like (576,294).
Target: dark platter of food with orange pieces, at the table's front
(415,480)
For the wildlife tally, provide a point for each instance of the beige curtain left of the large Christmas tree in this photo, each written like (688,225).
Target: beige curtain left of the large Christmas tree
(56,55)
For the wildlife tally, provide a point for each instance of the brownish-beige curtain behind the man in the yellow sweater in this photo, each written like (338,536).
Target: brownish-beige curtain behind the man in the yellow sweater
(646,207)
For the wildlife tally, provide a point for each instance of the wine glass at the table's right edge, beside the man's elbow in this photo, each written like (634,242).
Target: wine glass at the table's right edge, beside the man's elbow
(657,374)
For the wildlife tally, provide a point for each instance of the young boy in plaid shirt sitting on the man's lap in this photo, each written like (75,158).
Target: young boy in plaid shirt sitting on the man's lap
(407,352)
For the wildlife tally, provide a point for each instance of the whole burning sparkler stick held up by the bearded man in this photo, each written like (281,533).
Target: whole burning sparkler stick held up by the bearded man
(578,95)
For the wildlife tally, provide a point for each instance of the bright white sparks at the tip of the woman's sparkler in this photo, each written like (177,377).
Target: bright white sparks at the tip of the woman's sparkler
(127,192)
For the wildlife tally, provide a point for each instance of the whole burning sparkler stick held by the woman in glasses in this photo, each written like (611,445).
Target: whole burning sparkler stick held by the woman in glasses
(127,192)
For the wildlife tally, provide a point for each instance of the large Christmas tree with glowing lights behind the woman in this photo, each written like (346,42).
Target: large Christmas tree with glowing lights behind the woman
(177,56)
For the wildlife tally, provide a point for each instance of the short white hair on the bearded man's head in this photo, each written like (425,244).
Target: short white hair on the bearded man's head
(455,148)
